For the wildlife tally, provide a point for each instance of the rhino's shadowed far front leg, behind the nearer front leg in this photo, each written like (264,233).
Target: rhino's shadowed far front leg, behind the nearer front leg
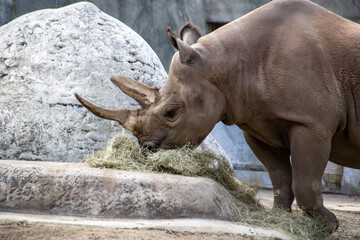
(277,163)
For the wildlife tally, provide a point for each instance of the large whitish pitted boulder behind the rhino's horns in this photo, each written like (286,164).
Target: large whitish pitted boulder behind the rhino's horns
(48,55)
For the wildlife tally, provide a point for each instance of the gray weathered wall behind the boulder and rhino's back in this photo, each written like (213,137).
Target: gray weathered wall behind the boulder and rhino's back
(150,18)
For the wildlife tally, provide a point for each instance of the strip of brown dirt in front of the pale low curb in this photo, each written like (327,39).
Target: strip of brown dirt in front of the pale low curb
(24,230)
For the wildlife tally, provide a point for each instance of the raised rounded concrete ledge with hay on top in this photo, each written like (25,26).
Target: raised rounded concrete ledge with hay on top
(77,190)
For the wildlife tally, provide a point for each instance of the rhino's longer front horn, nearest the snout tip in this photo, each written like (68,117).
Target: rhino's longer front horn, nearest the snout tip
(125,117)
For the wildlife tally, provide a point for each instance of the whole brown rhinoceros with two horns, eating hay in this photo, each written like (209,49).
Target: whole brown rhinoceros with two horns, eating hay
(287,74)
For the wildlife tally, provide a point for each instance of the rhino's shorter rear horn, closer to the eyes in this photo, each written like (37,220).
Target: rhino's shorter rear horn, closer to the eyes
(142,93)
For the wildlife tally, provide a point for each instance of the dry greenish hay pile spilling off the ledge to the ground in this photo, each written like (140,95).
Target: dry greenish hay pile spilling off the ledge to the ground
(124,153)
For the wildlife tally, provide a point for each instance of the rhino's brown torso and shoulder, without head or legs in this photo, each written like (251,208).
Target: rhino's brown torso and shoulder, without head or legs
(292,62)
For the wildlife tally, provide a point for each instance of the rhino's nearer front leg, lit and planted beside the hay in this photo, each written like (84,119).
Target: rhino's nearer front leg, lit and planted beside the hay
(310,151)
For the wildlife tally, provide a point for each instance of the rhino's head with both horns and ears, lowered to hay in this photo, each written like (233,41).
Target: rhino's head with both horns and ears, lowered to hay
(184,110)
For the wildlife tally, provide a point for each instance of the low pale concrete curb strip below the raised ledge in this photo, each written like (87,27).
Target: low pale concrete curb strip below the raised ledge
(173,225)
